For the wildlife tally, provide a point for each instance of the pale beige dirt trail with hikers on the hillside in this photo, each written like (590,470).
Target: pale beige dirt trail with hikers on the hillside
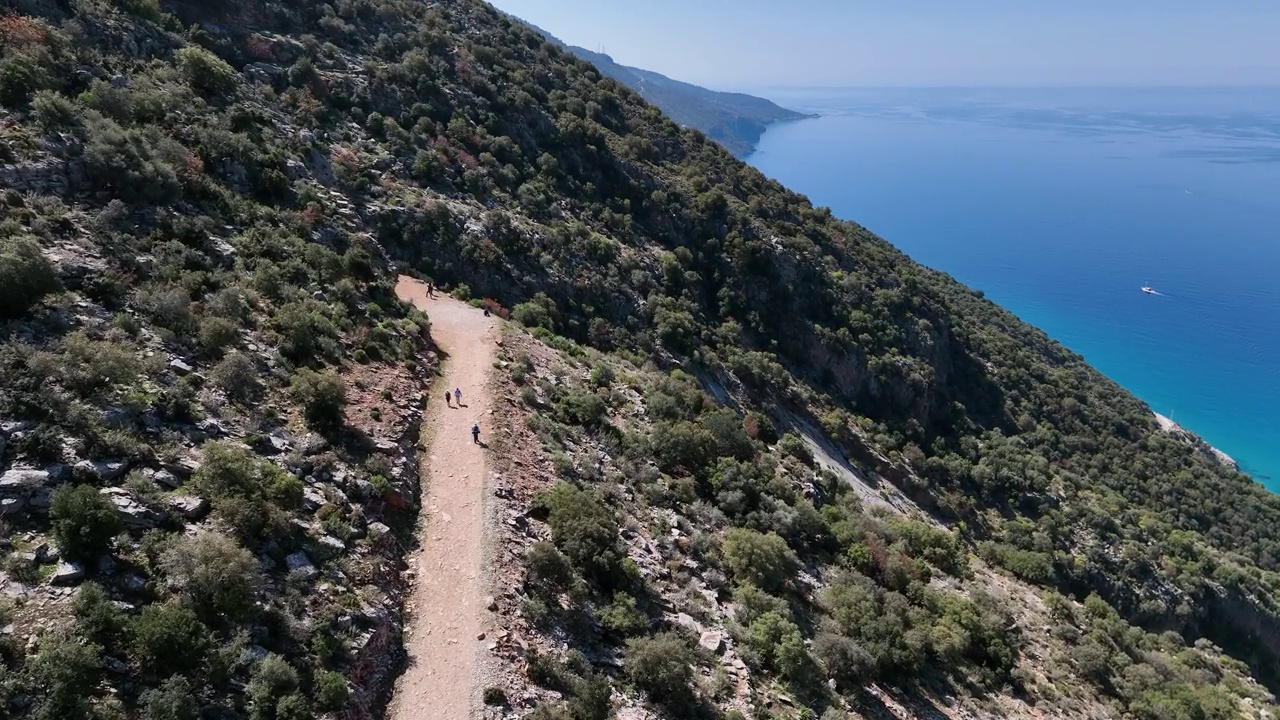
(447,604)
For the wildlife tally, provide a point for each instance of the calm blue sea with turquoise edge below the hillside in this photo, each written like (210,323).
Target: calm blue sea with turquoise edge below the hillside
(1062,206)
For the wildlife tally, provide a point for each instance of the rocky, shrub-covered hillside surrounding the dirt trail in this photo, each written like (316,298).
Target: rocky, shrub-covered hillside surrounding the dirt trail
(758,462)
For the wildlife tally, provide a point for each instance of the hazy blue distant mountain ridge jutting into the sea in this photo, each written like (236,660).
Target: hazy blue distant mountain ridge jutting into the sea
(734,120)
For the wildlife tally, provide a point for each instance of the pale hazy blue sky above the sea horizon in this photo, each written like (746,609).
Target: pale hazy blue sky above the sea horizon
(746,44)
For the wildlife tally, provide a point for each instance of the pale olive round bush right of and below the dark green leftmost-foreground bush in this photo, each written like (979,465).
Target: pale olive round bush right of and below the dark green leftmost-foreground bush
(220,576)
